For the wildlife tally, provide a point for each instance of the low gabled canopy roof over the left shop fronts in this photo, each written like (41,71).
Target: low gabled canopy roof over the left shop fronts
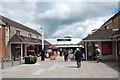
(26,40)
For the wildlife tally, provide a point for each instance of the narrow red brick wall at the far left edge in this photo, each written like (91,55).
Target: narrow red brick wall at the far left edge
(2,42)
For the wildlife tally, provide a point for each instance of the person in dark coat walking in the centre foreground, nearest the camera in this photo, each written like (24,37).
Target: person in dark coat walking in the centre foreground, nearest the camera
(78,57)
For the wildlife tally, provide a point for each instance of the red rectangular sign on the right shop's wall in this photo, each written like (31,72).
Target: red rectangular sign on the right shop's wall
(107,48)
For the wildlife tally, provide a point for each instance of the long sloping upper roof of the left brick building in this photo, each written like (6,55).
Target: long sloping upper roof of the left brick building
(17,25)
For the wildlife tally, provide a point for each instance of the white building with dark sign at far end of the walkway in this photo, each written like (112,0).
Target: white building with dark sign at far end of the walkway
(64,42)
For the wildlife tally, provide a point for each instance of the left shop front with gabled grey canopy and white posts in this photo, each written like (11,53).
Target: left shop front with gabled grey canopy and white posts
(21,46)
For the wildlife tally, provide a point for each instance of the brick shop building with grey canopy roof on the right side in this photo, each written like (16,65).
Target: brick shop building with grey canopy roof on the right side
(105,39)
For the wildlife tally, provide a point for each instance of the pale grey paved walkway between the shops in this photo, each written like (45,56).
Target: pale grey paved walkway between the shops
(60,69)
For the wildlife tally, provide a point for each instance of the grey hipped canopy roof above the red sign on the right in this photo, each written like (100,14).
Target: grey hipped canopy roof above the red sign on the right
(100,35)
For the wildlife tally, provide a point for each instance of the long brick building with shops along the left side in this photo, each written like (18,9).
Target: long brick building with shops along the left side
(15,39)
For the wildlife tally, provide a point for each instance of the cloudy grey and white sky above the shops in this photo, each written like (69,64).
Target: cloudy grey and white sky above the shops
(59,19)
